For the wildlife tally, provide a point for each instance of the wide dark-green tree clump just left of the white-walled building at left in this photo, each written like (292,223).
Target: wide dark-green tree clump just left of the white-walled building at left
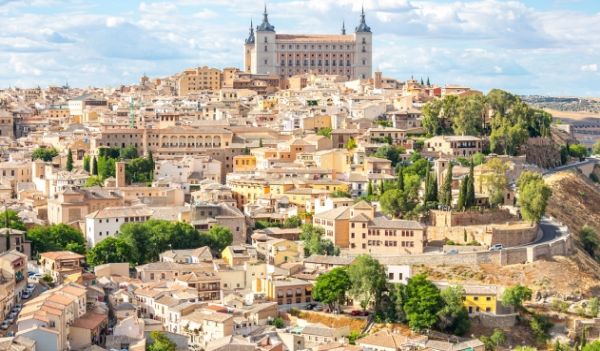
(54,237)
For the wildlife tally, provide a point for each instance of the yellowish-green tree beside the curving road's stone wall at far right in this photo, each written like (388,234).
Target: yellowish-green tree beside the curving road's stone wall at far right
(533,196)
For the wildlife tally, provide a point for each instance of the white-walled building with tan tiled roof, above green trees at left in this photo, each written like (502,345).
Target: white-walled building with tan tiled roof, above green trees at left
(101,224)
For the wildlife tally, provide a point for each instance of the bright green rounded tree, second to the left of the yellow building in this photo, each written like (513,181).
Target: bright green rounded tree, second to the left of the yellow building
(422,304)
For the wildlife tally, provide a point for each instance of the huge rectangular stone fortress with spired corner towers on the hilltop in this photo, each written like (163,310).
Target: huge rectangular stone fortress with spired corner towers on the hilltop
(349,55)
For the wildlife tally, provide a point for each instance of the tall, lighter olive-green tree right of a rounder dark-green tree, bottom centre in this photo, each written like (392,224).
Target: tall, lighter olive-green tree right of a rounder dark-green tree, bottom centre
(368,280)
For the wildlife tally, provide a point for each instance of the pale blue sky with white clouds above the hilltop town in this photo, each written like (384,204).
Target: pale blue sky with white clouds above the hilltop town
(545,47)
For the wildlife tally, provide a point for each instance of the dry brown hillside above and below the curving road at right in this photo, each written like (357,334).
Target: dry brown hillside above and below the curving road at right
(575,201)
